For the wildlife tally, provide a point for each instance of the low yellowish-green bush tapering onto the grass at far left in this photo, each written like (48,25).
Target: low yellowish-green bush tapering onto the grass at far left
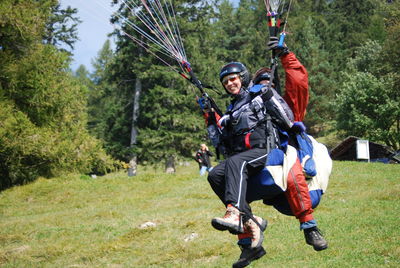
(27,151)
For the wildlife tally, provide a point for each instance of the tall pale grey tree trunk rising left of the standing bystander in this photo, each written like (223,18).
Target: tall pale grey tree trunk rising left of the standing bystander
(135,113)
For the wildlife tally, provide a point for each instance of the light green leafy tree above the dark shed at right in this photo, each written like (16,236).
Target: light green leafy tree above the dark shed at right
(369,103)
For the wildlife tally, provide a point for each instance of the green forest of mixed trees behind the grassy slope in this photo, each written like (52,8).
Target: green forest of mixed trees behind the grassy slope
(136,105)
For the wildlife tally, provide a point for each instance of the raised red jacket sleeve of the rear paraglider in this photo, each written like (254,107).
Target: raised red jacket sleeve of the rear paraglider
(296,85)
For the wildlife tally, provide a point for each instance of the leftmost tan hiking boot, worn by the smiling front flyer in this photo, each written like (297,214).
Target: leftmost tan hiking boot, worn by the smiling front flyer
(232,221)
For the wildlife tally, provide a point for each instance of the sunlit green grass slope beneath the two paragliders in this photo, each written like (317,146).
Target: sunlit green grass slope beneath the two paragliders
(77,221)
